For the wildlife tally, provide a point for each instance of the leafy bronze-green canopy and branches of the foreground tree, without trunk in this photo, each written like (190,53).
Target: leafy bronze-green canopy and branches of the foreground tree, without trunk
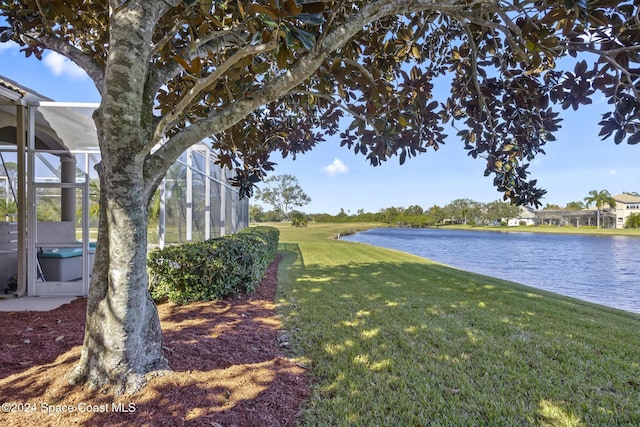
(279,75)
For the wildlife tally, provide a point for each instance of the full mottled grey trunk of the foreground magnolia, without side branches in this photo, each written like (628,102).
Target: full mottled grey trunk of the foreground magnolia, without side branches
(123,338)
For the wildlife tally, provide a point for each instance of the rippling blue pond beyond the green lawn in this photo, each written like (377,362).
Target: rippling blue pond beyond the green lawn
(600,269)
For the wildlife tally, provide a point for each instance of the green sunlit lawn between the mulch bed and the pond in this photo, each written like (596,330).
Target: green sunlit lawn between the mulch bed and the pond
(396,340)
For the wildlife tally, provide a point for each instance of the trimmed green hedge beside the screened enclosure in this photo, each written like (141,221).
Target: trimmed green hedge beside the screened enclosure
(214,269)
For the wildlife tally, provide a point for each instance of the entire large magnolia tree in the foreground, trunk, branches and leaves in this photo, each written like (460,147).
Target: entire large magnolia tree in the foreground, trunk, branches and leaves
(265,76)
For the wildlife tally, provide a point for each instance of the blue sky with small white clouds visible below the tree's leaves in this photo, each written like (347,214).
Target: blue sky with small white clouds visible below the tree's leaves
(336,178)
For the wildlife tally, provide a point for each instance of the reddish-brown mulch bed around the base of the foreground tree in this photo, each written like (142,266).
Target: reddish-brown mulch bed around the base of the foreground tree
(229,368)
